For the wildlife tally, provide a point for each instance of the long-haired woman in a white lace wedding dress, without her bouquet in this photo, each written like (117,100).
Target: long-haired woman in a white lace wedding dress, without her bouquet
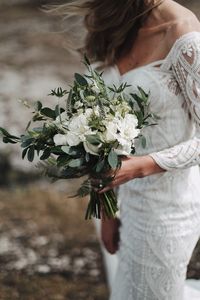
(155,45)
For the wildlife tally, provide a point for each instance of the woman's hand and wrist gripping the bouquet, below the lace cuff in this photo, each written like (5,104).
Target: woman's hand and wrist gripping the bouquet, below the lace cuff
(131,168)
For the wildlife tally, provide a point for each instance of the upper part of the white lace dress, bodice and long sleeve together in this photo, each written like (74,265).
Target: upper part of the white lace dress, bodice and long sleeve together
(178,75)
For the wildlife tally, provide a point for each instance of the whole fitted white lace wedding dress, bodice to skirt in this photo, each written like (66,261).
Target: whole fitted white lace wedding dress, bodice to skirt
(160,214)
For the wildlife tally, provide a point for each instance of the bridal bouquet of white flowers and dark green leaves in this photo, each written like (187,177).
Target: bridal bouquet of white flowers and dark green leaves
(88,135)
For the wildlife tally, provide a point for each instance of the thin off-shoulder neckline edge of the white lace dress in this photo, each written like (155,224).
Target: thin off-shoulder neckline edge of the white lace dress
(160,62)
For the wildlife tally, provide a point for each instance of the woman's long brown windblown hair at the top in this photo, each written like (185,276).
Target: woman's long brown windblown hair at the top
(111,25)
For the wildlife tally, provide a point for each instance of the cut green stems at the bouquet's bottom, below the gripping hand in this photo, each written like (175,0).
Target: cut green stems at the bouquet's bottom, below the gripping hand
(98,202)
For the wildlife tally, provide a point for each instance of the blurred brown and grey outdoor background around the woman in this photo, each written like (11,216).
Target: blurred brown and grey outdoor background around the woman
(47,250)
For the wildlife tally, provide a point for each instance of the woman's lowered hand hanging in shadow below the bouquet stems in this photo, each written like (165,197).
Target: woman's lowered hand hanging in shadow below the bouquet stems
(110,234)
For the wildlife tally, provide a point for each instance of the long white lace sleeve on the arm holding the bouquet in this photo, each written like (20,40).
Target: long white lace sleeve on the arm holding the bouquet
(185,60)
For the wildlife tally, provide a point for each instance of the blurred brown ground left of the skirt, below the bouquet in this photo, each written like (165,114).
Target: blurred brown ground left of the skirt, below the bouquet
(47,249)
